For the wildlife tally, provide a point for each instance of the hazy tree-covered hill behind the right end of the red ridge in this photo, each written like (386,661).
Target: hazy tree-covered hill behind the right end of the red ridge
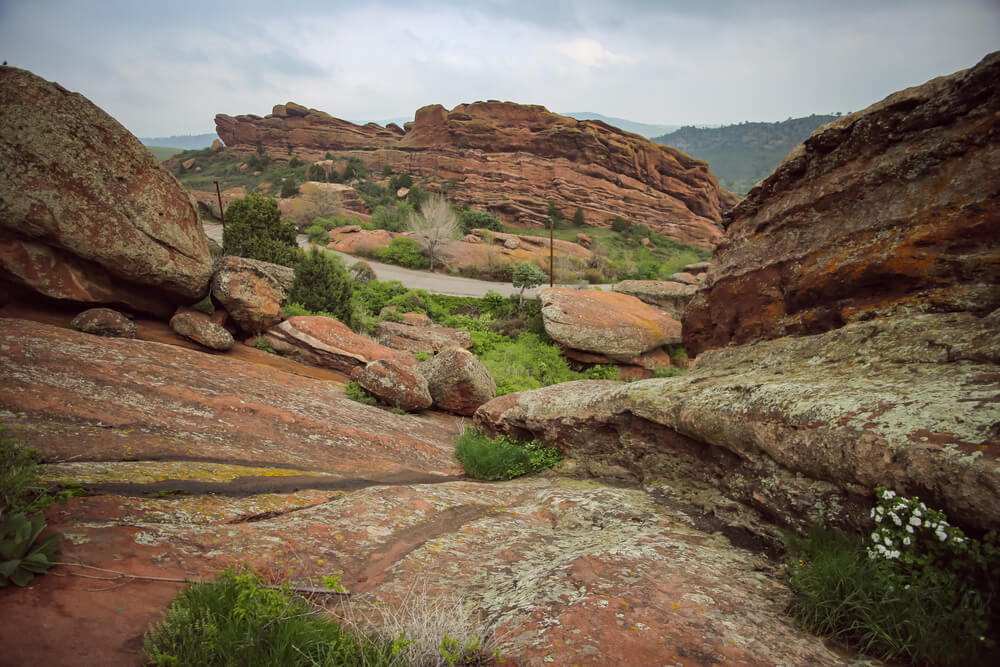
(740,155)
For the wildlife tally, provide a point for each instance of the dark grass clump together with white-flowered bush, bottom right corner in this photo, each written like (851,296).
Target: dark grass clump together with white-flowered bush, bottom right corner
(921,591)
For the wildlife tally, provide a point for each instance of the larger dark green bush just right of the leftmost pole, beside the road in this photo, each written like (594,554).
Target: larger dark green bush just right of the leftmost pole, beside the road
(254,229)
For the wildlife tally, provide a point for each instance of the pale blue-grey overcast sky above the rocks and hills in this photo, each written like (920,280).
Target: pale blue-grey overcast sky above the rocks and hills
(167,67)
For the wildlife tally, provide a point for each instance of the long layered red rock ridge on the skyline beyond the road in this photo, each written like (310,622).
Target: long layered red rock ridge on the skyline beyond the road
(512,159)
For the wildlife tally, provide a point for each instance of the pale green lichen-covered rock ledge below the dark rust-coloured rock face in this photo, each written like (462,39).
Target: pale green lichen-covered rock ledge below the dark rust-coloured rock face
(801,429)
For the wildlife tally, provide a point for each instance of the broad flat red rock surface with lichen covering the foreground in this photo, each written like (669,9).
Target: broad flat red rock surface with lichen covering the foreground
(198,461)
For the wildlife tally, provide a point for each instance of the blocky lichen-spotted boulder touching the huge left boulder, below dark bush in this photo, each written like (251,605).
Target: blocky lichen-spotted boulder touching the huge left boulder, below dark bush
(252,291)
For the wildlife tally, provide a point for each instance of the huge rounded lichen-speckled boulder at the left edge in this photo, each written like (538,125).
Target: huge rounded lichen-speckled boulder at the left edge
(87,213)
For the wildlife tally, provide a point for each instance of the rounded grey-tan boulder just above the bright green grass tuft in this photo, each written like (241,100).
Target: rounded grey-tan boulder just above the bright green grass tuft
(458,381)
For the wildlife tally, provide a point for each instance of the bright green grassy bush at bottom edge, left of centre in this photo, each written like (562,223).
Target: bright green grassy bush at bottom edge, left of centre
(237,621)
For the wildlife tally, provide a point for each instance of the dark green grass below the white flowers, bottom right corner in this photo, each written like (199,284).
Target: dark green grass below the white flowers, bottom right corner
(864,602)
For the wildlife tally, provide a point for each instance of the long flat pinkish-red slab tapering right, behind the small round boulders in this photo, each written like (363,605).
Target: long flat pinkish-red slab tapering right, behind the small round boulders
(324,341)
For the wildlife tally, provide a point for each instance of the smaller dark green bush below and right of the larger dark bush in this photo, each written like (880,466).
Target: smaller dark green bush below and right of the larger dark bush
(322,284)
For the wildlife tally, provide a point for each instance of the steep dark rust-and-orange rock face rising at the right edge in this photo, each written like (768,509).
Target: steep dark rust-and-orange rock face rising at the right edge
(891,209)
